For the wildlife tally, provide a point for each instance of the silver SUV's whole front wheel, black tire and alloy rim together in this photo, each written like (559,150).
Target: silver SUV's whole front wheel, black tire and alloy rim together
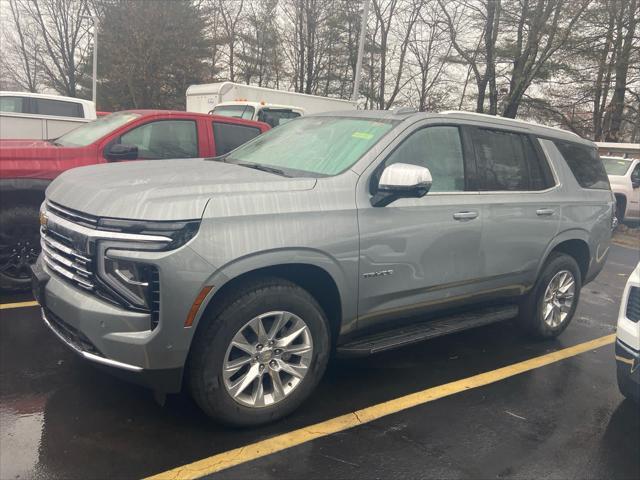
(211,387)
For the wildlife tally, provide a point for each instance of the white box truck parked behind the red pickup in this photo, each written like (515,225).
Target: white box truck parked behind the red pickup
(259,103)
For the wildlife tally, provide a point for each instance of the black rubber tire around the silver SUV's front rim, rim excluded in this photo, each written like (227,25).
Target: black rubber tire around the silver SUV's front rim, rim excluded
(217,401)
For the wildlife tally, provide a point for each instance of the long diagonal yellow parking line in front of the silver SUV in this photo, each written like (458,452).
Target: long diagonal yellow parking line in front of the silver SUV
(281,442)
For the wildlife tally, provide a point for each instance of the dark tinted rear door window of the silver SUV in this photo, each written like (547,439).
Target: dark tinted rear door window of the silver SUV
(507,161)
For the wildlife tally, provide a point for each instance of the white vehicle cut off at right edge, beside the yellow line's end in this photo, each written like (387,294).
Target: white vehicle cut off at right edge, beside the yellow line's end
(628,339)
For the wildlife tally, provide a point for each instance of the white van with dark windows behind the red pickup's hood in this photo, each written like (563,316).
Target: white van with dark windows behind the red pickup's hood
(26,115)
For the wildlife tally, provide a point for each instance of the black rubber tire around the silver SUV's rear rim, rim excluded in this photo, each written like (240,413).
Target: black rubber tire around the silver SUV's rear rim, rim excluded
(555,264)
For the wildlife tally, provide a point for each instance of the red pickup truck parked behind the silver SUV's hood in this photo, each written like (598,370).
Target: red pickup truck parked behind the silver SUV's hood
(28,166)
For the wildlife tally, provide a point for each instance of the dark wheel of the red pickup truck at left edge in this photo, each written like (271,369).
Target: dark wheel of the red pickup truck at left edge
(19,246)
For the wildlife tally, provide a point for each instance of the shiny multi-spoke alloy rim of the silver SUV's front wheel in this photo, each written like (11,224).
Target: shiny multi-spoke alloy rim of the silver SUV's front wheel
(267,359)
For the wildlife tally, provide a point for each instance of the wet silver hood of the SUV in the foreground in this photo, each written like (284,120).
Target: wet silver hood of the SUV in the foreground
(161,189)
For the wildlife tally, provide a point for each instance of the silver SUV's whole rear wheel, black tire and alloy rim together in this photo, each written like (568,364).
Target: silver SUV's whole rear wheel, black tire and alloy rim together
(534,307)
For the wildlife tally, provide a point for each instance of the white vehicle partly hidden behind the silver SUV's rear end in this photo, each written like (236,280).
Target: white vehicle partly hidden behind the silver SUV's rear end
(624,177)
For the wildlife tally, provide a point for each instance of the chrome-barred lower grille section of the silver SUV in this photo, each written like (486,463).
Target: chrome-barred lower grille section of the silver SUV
(62,258)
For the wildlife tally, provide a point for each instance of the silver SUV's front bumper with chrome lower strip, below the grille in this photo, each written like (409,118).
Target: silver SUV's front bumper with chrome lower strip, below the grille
(115,338)
